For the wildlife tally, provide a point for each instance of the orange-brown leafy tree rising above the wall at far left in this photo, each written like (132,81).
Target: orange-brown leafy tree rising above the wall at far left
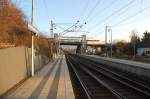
(13,26)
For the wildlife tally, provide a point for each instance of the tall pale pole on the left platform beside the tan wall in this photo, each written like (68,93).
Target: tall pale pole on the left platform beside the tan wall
(32,22)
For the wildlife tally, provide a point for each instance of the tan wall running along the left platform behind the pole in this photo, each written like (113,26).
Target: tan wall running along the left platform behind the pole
(15,66)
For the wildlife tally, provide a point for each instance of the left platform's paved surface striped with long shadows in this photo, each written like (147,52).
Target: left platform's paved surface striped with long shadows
(52,82)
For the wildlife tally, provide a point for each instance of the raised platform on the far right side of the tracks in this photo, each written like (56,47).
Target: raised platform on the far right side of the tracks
(135,68)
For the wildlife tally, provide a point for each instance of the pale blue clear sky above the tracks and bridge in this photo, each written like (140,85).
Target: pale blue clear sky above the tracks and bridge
(123,15)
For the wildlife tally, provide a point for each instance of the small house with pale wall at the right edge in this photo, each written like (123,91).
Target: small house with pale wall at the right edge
(144,48)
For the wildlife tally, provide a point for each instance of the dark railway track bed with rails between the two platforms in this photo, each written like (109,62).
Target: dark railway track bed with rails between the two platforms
(92,81)
